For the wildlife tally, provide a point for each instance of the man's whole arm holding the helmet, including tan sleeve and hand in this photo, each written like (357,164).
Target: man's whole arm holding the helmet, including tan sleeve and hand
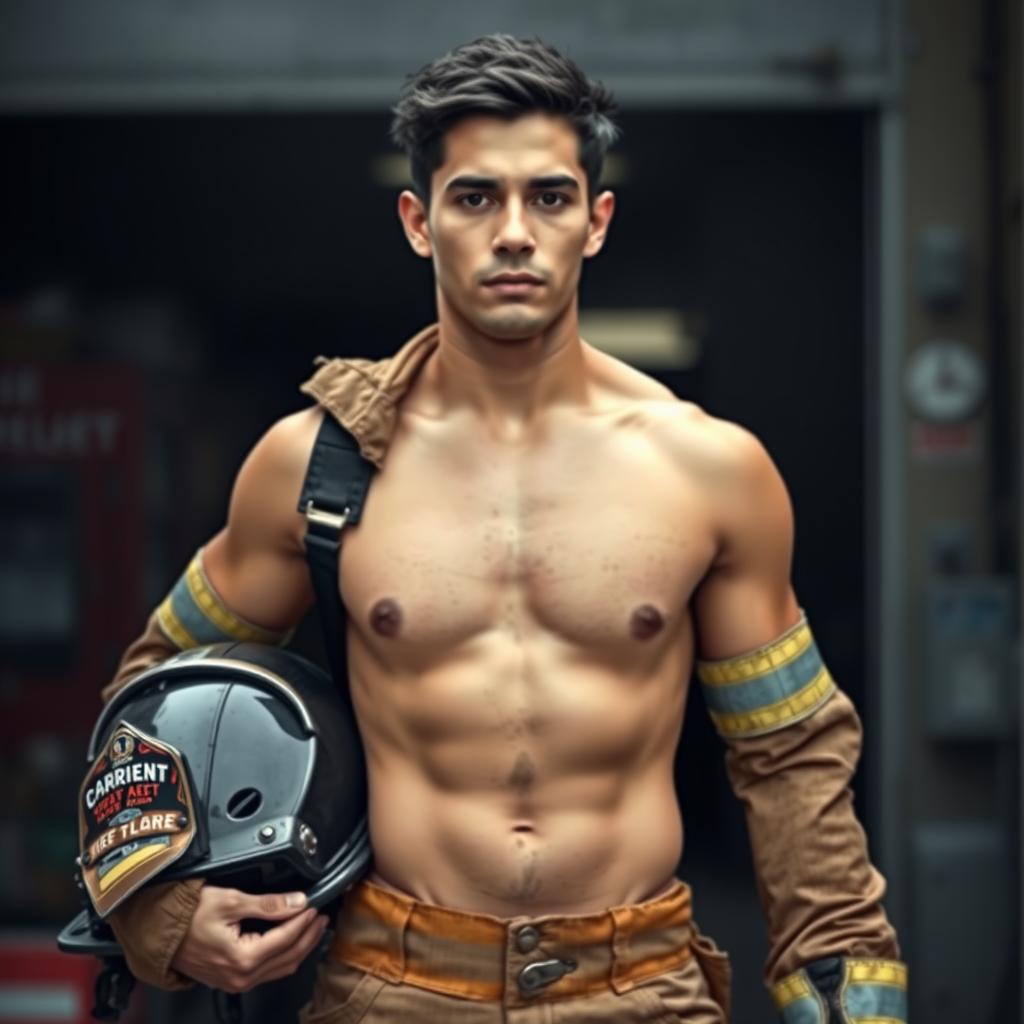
(250,582)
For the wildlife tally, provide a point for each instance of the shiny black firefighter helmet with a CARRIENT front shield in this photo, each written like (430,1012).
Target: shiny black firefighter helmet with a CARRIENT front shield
(238,762)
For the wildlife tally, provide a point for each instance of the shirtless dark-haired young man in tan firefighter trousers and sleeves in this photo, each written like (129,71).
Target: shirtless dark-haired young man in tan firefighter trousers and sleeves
(550,543)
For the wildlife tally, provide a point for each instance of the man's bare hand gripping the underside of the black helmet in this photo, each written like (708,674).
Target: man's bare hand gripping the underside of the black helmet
(218,953)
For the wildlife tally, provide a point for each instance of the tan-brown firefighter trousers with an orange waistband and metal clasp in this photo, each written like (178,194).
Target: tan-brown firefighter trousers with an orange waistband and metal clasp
(398,960)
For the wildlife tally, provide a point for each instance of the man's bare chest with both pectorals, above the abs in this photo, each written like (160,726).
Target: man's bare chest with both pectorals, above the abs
(590,536)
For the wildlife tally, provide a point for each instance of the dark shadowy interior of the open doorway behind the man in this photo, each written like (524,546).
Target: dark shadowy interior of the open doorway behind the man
(214,257)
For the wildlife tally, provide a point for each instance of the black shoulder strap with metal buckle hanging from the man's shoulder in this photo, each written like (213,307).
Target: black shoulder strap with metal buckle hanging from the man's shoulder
(333,496)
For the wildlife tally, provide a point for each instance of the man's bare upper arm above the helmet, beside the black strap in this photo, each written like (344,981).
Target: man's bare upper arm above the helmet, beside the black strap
(257,565)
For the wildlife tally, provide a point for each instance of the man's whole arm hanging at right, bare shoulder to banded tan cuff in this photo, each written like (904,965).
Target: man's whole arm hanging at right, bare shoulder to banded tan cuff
(794,740)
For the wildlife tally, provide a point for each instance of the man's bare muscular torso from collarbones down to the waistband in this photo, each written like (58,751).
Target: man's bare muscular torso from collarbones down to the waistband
(521,648)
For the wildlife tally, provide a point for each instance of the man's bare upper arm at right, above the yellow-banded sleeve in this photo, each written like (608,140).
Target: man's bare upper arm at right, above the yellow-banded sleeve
(747,599)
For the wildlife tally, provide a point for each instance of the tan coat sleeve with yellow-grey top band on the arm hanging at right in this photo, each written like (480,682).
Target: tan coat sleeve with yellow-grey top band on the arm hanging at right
(793,741)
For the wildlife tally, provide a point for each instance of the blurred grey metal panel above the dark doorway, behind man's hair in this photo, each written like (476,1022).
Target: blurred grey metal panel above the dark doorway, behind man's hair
(65,55)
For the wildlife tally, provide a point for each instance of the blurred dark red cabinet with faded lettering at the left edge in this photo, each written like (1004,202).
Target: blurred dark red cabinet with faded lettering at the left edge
(71,510)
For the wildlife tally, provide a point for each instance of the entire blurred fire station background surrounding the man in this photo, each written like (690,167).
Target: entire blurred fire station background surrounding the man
(818,237)
